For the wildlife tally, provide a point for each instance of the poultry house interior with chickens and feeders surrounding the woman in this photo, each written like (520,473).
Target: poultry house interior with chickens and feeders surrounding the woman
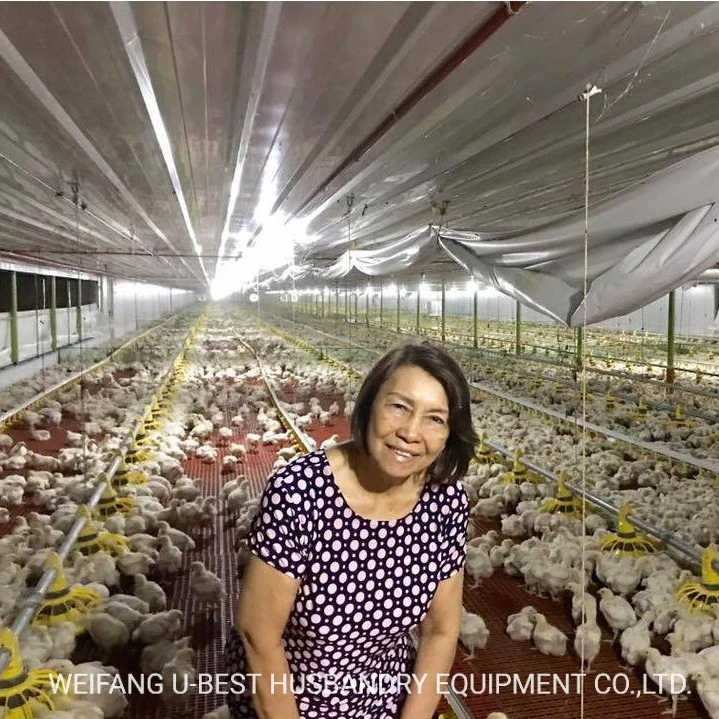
(215,218)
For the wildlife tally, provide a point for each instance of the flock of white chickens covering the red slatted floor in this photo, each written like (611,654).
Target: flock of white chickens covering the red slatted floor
(222,415)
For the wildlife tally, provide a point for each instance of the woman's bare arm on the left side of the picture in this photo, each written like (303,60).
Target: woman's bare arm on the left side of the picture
(265,604)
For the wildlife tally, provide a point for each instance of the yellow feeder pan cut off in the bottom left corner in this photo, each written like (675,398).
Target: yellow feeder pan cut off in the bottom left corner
(19,688)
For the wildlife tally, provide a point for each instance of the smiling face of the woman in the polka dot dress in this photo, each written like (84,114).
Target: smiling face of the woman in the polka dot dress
(409,422)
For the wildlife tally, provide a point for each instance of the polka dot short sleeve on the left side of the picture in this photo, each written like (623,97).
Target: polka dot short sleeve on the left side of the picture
(279,535)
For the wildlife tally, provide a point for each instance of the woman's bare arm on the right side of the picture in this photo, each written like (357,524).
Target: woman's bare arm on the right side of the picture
(437,645)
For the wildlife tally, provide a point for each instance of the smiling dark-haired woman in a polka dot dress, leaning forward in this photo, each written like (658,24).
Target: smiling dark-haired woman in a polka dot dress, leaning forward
(356,545)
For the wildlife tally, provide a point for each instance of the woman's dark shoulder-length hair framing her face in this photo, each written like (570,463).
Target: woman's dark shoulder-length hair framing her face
(453,463)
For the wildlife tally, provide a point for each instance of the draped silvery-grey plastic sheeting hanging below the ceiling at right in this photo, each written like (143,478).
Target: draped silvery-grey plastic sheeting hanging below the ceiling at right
(642,243)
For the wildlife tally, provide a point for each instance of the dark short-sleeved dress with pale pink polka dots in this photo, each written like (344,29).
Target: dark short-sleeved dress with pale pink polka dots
(364,585)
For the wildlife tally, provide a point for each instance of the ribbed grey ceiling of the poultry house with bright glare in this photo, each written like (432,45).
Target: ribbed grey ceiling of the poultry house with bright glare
(274,114)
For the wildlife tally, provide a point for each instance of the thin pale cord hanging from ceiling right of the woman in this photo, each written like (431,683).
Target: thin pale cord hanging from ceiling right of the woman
(589,91)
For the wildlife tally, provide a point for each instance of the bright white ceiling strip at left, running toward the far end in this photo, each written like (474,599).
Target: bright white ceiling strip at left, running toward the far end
(125,21)
